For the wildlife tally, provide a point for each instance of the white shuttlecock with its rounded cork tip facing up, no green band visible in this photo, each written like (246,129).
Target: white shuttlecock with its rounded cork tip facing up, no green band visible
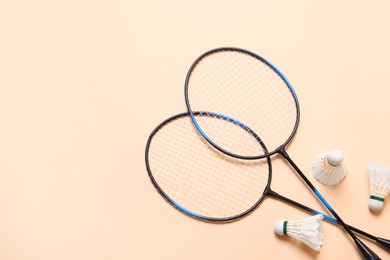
(329,167)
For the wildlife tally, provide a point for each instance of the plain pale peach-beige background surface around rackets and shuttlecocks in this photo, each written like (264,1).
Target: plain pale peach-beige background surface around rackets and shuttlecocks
(83,83)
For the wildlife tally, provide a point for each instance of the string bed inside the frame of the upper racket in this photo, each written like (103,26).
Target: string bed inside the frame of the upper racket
(236,95)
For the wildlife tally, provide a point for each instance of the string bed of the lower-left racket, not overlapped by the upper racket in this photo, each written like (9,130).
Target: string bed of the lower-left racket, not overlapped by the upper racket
(217,188)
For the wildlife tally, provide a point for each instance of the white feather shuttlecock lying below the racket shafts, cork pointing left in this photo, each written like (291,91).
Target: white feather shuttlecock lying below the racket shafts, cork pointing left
(308,230)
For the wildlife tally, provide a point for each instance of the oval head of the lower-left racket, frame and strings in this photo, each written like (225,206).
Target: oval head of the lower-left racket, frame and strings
(199,180)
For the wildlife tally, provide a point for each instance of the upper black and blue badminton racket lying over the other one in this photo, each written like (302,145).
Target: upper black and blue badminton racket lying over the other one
(246,87)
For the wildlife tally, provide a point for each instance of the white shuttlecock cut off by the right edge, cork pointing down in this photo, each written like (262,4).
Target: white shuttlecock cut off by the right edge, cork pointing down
(379,176)
